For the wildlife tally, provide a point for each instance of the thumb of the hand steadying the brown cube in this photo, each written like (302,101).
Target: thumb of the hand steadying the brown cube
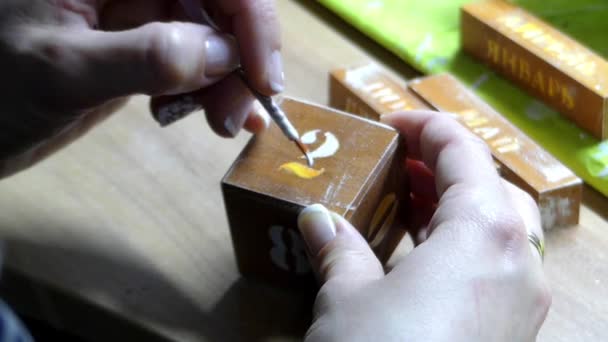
(336,249)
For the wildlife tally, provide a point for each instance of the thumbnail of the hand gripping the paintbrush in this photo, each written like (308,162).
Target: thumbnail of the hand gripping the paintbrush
(221,52)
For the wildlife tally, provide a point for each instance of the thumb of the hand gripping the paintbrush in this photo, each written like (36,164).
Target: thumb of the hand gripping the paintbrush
(154,59)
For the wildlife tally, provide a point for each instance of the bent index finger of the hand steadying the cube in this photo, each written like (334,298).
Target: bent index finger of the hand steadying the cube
(472,197)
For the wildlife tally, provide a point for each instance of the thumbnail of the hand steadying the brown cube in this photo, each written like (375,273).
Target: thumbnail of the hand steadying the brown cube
(317,227)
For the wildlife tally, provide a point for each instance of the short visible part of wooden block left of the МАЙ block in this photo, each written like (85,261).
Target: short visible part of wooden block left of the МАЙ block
(369,92)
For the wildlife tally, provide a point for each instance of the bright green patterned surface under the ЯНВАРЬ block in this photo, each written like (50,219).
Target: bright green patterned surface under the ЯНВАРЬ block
(426,35)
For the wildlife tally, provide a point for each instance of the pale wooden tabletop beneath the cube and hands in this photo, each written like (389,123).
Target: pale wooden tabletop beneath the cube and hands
(124,232)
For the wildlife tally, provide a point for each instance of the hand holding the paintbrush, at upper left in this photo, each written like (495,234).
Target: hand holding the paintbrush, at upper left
(68,64)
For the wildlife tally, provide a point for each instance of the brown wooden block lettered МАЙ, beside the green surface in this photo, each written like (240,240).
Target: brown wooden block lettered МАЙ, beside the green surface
(554,187)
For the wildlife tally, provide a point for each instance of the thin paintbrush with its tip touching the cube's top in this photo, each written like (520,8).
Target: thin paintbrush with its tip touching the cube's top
(199,15)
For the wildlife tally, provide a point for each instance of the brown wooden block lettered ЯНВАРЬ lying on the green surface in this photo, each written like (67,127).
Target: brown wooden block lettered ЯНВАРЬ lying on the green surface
(542,60)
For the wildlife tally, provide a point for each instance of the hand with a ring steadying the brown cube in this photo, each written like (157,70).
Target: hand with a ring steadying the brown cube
(473,275)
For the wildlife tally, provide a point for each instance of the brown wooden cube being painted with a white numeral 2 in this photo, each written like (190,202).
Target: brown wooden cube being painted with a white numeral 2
(357,173)
